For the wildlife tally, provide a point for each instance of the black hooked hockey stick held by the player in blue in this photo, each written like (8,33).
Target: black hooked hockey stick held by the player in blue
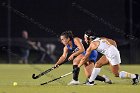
(46,71)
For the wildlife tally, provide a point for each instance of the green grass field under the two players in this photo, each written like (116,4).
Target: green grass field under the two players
(21,74)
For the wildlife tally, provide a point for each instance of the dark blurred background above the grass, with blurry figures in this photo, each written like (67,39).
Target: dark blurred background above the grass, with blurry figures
(40,22)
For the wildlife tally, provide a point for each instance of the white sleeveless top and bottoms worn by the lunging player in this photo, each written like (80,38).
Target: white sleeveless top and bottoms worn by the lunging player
(109,50)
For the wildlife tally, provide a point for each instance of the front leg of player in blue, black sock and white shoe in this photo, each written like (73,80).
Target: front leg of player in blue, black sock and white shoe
(76,72)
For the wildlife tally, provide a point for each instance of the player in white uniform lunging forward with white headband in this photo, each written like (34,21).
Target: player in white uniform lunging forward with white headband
(111,55)
